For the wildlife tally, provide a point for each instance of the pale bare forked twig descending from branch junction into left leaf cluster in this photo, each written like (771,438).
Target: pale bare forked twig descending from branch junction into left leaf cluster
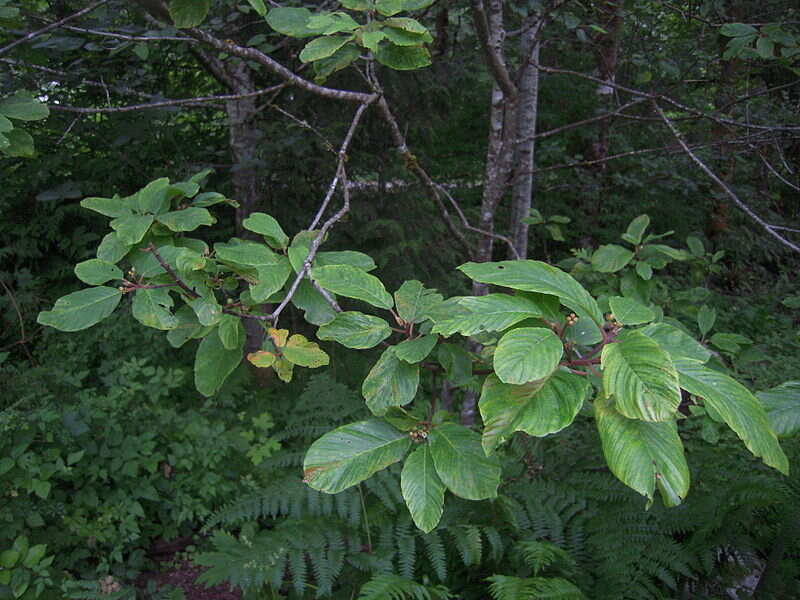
(341,175)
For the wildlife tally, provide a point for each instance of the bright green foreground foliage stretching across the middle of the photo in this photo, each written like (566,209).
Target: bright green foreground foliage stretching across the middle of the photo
(548,348)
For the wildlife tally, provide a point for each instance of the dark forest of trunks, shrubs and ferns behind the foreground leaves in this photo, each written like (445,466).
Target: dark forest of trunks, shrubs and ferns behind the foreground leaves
(483,131)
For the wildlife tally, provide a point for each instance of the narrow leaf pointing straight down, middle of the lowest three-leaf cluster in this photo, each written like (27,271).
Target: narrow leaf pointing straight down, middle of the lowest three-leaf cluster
(422,488)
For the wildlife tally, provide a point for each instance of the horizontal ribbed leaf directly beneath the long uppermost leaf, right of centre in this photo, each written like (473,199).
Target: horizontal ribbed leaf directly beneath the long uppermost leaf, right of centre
(492,312)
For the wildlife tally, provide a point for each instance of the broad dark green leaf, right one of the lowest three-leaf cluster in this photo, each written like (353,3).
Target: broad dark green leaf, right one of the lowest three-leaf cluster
(462,464)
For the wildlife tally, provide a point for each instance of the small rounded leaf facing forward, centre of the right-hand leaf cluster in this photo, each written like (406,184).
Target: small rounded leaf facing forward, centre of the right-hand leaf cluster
(527,354)
